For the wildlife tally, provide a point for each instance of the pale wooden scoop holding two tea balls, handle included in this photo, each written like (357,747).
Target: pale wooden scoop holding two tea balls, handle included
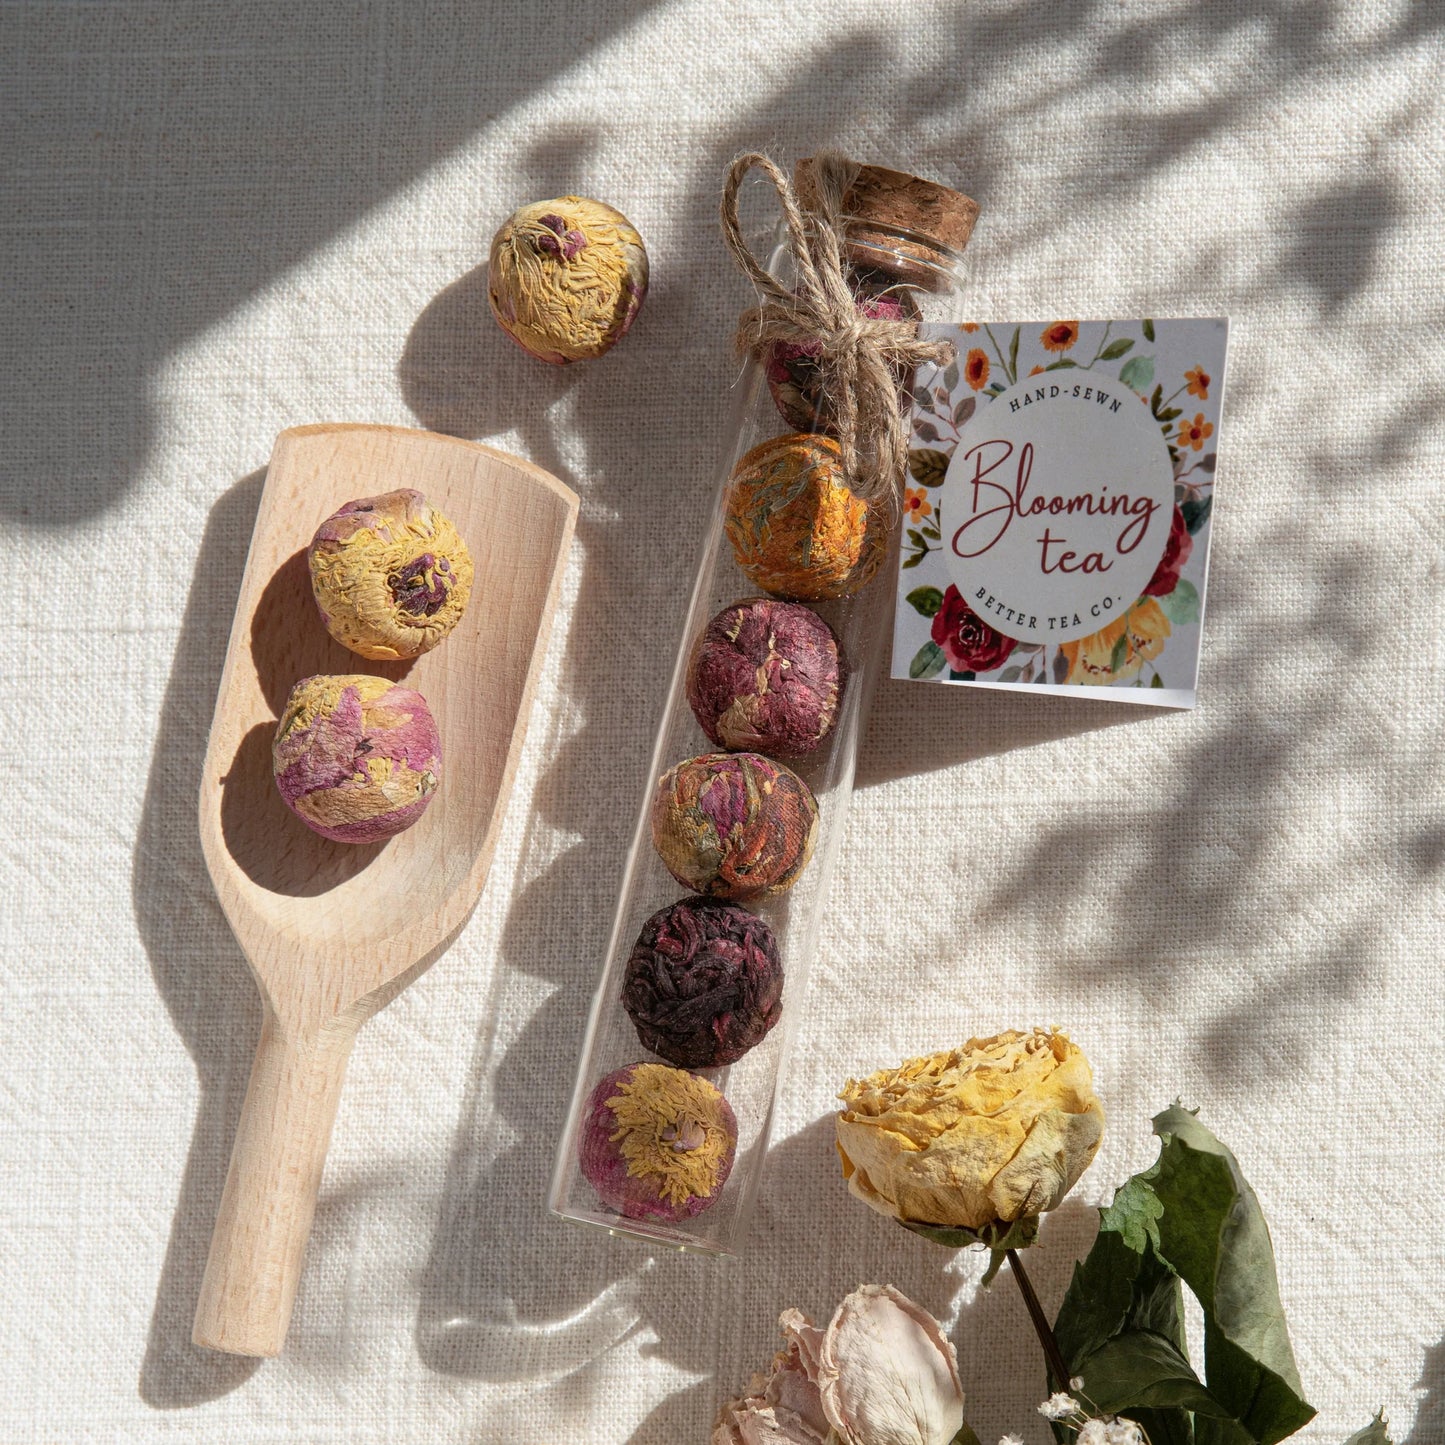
(336,931)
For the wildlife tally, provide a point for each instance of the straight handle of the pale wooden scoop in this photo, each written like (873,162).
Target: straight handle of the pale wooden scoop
(271,1190)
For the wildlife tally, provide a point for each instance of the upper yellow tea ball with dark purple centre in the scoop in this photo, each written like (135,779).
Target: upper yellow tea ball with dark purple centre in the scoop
(389,574)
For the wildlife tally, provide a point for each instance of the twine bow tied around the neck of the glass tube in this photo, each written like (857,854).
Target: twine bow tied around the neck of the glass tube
(860,358)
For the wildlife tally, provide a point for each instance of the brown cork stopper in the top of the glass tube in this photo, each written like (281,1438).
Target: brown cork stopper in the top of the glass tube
(901,225)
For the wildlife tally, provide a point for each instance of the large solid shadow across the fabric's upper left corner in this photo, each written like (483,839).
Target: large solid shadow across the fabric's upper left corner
(186,167)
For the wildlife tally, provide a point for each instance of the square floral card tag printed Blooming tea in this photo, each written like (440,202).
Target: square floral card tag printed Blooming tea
(1057,514)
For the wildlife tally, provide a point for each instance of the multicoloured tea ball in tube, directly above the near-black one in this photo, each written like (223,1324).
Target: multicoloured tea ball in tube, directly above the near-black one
(733,826)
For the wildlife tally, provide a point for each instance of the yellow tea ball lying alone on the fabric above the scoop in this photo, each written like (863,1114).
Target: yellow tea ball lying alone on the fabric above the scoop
(567,278)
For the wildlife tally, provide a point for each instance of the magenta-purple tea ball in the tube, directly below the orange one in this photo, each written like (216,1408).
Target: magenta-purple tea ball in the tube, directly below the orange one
(765,677)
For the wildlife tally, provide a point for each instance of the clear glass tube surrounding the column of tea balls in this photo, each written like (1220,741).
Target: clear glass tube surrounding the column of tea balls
(923,275)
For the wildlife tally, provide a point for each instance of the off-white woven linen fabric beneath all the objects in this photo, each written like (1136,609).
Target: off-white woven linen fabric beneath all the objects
(225,220)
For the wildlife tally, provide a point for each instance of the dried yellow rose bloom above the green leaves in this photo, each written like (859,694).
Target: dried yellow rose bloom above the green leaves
(973,1138)
